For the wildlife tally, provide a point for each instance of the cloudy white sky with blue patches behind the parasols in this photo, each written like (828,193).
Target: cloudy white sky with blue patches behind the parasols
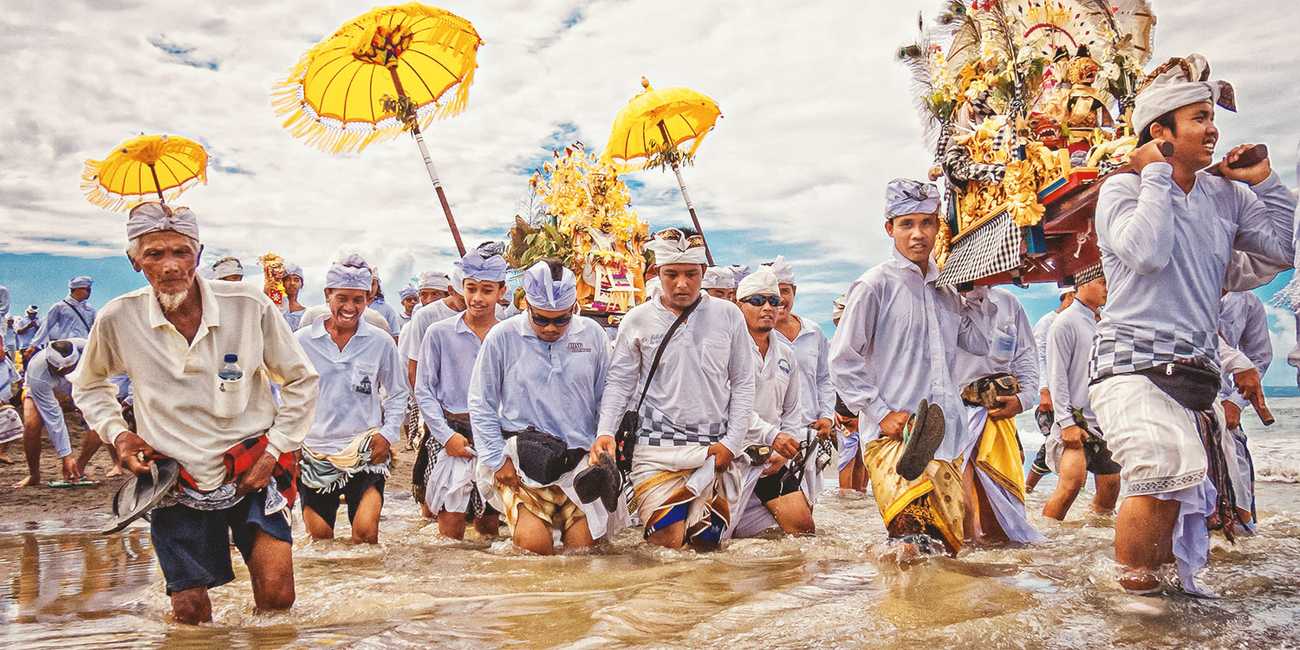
(817,118)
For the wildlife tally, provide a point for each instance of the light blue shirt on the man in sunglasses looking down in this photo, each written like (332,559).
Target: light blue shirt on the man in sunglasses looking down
(522,382)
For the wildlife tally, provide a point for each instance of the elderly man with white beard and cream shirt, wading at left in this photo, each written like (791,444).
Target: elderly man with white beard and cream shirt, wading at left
(201,357)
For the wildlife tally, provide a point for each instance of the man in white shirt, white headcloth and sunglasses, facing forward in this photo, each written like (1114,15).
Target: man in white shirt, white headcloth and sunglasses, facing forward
(778,491)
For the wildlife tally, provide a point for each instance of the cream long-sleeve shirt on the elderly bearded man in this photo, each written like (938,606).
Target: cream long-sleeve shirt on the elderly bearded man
(183,409)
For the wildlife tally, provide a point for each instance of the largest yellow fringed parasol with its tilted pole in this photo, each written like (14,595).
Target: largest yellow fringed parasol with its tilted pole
(384,73)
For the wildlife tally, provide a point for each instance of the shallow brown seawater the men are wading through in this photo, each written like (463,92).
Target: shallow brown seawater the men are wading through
(64,586)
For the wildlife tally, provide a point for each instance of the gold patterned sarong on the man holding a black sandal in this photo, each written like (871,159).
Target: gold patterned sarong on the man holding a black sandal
(941,483)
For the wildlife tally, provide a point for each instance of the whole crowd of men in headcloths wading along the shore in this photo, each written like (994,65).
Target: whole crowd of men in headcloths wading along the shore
(708,413)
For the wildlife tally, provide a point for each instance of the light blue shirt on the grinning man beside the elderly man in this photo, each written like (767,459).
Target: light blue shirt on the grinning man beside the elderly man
(362,388)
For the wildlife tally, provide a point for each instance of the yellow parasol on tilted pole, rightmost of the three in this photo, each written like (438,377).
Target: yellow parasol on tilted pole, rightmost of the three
(652,129)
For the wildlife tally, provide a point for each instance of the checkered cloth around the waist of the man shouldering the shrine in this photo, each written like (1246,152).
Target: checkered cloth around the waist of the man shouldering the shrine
(1124,349)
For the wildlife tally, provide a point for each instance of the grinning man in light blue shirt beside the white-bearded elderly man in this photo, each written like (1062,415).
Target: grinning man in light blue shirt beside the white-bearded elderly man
(363,396)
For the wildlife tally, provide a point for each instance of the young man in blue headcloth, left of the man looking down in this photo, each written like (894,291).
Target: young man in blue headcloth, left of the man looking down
(447,359)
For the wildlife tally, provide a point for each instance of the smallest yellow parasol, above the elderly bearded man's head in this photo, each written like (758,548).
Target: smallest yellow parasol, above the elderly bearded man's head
(142,168)
